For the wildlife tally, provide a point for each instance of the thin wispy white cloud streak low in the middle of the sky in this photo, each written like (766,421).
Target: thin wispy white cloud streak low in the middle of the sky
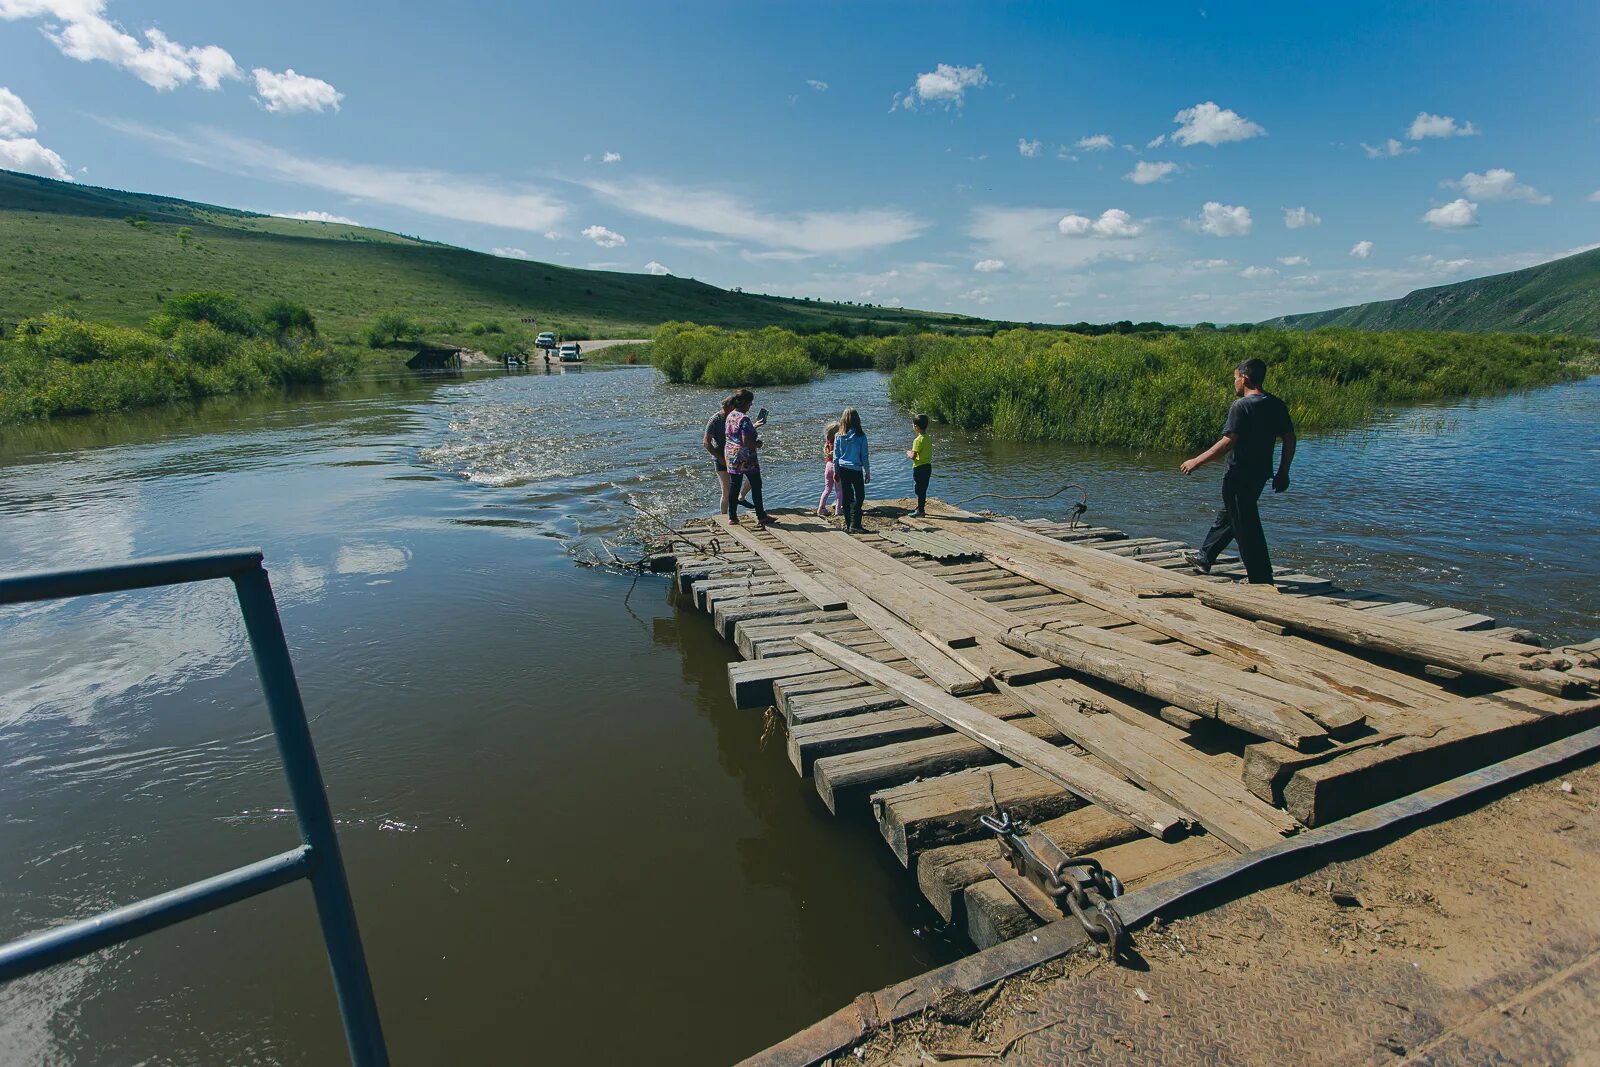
(722,214)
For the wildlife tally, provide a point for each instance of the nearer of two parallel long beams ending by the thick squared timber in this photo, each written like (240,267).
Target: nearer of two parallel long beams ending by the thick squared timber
(1260,717)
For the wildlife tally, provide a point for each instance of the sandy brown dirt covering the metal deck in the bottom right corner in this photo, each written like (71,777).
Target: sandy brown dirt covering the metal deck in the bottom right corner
(1471,941)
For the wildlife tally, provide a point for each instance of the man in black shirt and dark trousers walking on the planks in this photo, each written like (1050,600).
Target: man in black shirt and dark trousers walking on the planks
(1255,423)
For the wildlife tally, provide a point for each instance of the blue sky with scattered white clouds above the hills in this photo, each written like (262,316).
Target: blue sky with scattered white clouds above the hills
(1042,162)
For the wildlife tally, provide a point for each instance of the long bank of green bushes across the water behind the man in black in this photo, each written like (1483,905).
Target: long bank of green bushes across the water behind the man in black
(1172,390)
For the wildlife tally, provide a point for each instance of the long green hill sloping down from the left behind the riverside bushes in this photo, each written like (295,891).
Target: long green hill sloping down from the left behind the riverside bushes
(114,257)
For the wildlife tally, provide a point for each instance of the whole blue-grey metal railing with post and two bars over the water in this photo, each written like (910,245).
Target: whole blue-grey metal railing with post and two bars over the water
(318,860)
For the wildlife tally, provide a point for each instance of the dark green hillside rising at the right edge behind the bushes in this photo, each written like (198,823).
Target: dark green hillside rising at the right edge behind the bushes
(1558,297)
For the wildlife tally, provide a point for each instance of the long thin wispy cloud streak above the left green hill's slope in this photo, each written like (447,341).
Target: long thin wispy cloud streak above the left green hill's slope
(441,194)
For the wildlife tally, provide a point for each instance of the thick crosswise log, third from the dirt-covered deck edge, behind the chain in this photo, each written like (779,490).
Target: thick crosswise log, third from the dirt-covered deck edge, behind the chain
(945,810)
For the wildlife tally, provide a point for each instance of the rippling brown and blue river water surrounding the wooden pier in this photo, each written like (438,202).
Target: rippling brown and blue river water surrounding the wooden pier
(566,845)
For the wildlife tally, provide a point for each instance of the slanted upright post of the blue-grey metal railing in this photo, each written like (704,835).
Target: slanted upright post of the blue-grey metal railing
(330,889)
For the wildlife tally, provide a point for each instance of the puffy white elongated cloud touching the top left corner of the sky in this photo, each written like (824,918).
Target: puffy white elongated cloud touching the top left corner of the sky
(81,31)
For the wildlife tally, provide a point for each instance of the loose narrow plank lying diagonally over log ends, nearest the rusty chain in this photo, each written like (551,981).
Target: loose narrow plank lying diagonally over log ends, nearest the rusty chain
(1140,809)
